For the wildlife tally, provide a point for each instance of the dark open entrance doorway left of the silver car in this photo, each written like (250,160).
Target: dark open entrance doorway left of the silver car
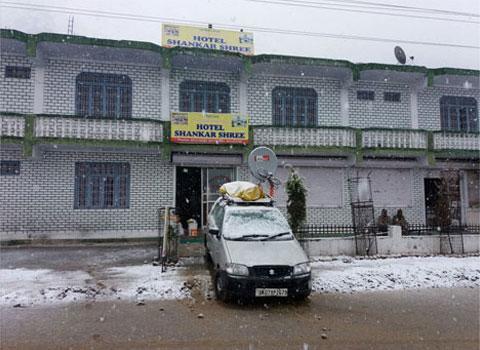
(188,195)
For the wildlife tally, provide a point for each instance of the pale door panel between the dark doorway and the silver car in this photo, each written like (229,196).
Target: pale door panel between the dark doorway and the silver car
(212,179)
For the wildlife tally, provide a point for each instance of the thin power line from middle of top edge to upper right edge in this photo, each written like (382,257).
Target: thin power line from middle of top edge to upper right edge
(318,5)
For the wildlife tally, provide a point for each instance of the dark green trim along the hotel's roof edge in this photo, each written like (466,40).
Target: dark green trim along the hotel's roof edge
(31,41)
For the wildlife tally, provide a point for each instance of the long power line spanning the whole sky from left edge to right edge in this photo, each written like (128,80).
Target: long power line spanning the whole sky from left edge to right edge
(125,16)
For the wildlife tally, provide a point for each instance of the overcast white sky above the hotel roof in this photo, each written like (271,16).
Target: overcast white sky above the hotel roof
(258,13)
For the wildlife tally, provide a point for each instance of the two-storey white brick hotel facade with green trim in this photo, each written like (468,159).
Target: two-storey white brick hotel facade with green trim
(86,153)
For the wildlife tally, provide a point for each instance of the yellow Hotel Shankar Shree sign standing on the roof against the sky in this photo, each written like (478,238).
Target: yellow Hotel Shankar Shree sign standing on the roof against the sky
(207,38)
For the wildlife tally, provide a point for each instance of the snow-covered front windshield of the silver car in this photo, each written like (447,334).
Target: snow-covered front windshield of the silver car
(255,223)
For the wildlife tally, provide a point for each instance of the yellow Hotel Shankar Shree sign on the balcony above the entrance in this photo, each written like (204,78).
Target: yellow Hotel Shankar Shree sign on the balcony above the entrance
(208,128)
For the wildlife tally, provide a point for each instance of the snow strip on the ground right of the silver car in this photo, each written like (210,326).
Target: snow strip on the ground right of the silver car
(348,275)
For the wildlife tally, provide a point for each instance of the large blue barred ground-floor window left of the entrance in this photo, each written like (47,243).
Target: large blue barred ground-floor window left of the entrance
(102,185)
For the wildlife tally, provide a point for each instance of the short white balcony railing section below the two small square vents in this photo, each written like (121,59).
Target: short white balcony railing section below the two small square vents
(404,139)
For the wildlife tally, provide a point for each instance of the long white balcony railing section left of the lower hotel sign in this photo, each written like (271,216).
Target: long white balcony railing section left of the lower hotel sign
(98,129)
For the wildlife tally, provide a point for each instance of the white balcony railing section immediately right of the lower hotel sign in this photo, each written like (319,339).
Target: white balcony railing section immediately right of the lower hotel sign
(285,136)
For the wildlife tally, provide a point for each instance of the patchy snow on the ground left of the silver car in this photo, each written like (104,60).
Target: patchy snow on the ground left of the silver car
(23,287)
